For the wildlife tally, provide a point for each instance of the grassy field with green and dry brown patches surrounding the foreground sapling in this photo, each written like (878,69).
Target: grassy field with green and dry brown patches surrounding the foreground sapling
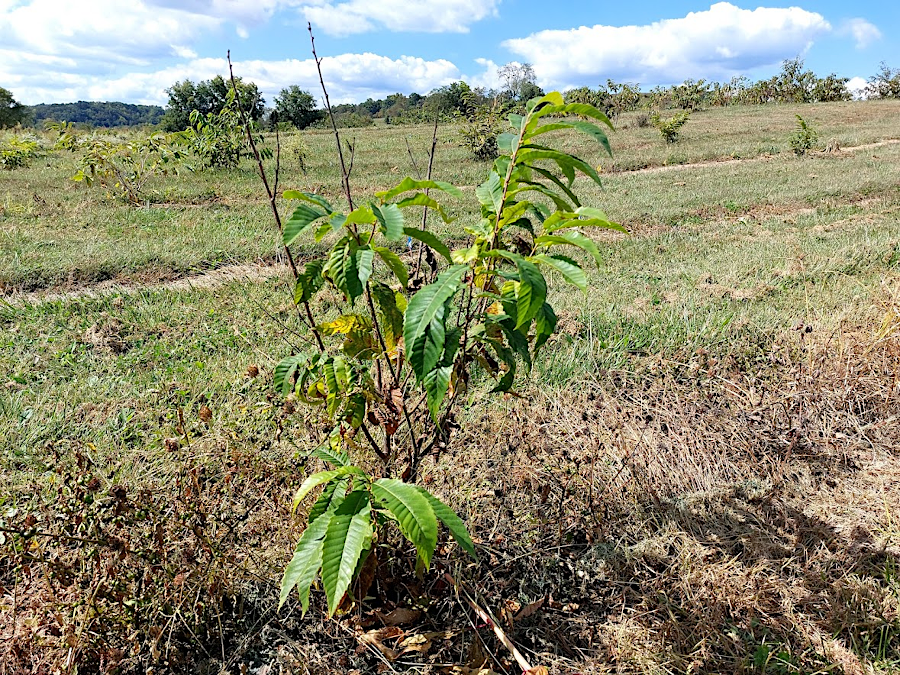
(701,476)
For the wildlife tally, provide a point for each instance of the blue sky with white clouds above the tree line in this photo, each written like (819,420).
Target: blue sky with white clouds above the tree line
(131,50)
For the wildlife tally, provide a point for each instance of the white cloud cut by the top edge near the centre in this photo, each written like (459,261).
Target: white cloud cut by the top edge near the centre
(360,16)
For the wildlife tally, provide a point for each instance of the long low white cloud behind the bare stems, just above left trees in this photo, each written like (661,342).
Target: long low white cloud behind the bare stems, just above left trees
(350,77)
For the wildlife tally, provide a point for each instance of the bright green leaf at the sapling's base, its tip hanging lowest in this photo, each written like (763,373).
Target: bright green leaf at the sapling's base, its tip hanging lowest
(349,532)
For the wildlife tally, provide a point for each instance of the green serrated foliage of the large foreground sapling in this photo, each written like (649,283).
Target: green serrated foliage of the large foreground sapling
(406,333)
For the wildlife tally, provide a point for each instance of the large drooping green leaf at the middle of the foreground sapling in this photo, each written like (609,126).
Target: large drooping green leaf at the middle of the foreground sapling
(423,330)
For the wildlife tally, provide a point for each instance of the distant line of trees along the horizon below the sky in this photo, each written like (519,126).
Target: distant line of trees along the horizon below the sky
(294,107)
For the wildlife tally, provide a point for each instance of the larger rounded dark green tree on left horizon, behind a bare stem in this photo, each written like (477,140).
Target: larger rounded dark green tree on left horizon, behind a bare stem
(209,96)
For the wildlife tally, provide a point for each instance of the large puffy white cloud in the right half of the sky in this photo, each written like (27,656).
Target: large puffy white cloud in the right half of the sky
(716,43)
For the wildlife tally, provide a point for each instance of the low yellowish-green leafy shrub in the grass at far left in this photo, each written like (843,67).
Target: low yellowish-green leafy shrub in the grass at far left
(125,167)
